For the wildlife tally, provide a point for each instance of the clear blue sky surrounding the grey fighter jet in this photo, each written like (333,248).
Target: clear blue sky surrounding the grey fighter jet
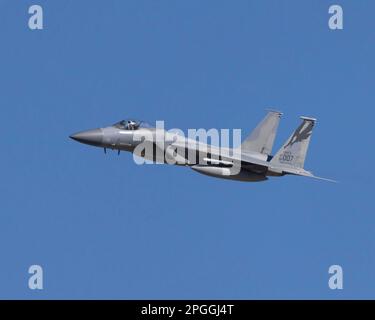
(103,227)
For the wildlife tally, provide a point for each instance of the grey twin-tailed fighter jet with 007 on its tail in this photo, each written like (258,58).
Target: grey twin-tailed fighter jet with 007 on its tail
(251,161)
